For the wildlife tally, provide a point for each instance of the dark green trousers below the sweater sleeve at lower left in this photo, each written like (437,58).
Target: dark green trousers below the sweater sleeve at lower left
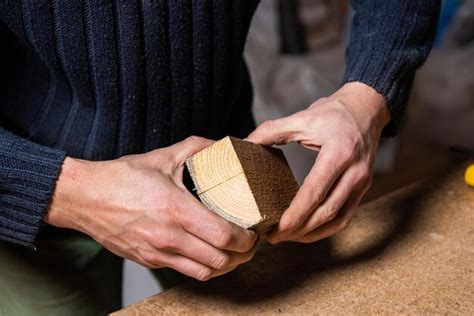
(67,274)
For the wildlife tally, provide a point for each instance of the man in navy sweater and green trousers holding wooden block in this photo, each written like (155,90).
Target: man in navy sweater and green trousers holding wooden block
(98,101)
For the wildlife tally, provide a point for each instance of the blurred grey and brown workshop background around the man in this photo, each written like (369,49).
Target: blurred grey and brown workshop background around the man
(295,52)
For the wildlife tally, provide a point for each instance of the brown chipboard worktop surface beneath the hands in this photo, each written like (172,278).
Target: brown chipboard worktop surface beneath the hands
(409,252)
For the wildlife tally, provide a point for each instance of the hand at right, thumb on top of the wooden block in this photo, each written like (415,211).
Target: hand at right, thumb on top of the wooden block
(345,128)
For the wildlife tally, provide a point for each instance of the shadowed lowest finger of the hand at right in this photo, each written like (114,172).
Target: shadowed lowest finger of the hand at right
(341,221)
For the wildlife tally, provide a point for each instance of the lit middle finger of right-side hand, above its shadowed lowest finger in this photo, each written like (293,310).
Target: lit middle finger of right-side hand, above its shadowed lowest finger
(348,183)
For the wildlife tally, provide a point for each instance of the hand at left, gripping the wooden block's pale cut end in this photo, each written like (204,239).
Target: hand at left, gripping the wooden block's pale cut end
(138,208)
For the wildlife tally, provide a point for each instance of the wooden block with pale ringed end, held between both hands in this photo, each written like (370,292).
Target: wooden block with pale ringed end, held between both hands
(248,184)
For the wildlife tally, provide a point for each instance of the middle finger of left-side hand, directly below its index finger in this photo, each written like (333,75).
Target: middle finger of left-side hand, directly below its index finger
(200,251)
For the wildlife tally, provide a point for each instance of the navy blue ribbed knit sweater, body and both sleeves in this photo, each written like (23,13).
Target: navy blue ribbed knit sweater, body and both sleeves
(100,79)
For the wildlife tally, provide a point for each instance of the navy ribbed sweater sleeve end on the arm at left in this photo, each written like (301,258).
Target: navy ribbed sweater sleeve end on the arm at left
(28,174)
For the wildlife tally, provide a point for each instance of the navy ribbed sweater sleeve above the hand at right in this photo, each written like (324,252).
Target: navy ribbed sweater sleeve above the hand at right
(389,41)
